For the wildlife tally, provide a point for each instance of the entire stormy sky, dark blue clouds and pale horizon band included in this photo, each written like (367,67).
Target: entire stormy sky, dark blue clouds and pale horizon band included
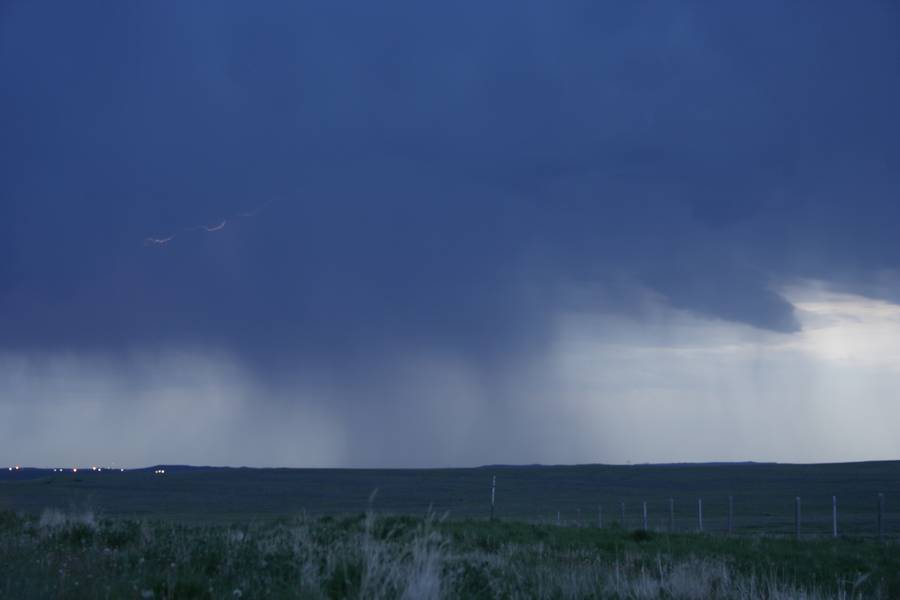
(408,234)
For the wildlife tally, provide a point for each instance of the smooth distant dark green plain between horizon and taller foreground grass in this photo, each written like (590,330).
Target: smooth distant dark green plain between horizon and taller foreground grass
(763,494)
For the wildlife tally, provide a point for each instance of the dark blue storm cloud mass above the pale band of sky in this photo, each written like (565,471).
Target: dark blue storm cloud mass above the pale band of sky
(442,176)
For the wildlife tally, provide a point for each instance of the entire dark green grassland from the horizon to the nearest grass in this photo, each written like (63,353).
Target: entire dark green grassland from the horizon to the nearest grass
(295,533)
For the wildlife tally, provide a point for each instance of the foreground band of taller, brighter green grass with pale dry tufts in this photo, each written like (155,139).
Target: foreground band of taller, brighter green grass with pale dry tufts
(77,555)
